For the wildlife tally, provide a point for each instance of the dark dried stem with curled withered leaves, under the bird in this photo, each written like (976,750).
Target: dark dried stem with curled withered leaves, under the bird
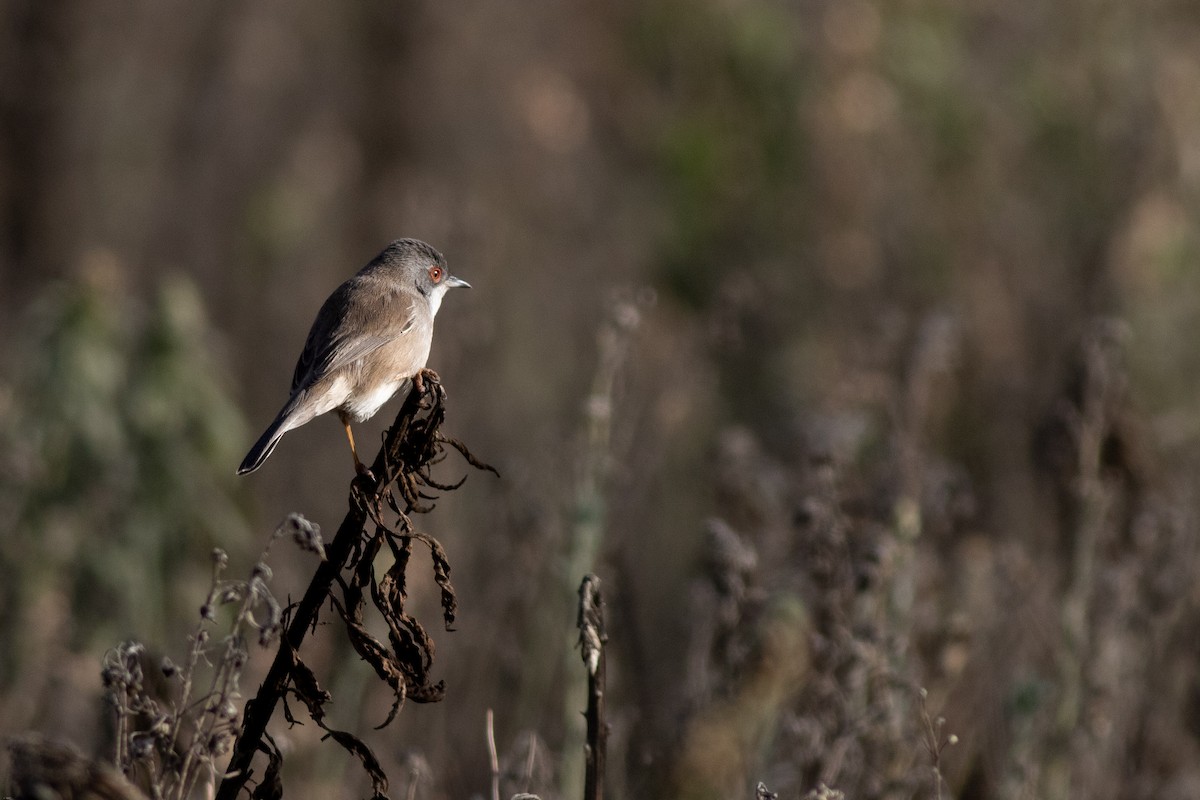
(412,447)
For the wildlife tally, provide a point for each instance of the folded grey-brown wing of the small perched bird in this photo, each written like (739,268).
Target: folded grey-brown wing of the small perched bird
(356,321)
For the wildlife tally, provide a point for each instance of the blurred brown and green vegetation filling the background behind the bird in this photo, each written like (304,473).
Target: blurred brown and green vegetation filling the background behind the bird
(851,344)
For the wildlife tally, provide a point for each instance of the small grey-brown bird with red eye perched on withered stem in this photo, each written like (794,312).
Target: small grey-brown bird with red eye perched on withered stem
(369,341)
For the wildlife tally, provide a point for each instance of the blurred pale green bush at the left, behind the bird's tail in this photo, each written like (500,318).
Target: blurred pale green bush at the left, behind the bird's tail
(118,438)
